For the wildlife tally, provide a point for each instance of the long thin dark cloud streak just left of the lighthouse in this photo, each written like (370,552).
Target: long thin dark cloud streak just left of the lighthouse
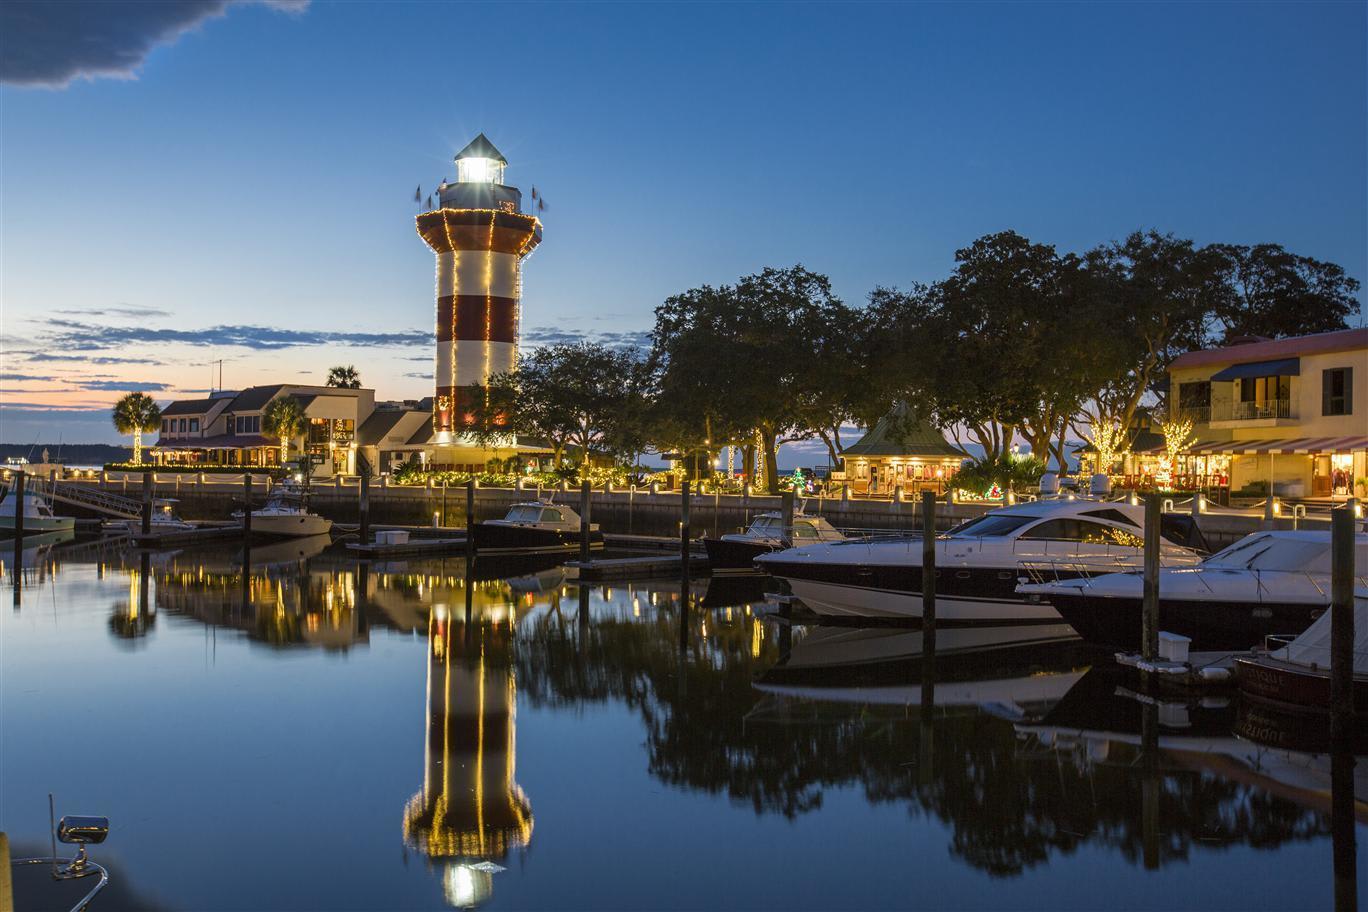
(94,337)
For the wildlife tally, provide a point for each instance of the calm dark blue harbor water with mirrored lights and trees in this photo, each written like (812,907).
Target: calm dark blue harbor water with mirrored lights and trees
(314,735)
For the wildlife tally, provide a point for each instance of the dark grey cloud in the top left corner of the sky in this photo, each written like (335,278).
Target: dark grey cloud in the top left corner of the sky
(53,43)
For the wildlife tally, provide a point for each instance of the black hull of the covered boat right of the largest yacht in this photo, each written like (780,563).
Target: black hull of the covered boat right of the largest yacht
(1211,626)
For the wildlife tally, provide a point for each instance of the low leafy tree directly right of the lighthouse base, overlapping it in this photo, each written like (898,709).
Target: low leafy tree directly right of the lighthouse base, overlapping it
(571,394)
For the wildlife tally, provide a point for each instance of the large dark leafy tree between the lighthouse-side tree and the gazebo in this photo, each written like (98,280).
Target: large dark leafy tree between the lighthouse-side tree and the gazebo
(737,363)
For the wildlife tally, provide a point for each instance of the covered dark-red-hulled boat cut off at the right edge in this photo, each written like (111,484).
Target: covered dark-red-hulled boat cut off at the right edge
(1296,673)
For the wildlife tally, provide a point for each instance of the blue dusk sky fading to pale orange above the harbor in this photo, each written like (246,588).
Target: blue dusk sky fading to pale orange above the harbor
(185,184)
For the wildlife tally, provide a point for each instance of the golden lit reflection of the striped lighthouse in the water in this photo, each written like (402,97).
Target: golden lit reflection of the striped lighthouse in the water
(470,813)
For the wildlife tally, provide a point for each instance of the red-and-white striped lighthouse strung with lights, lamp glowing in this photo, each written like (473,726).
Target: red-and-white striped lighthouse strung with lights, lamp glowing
(481,236)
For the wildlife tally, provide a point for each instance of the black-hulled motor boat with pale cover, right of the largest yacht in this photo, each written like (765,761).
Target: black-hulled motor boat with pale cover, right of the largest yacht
(1266,585)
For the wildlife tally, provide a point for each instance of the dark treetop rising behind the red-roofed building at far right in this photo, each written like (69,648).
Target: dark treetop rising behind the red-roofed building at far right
(1269,292)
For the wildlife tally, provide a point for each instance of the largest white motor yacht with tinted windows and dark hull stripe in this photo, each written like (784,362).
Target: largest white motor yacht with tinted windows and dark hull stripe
(979,564)
